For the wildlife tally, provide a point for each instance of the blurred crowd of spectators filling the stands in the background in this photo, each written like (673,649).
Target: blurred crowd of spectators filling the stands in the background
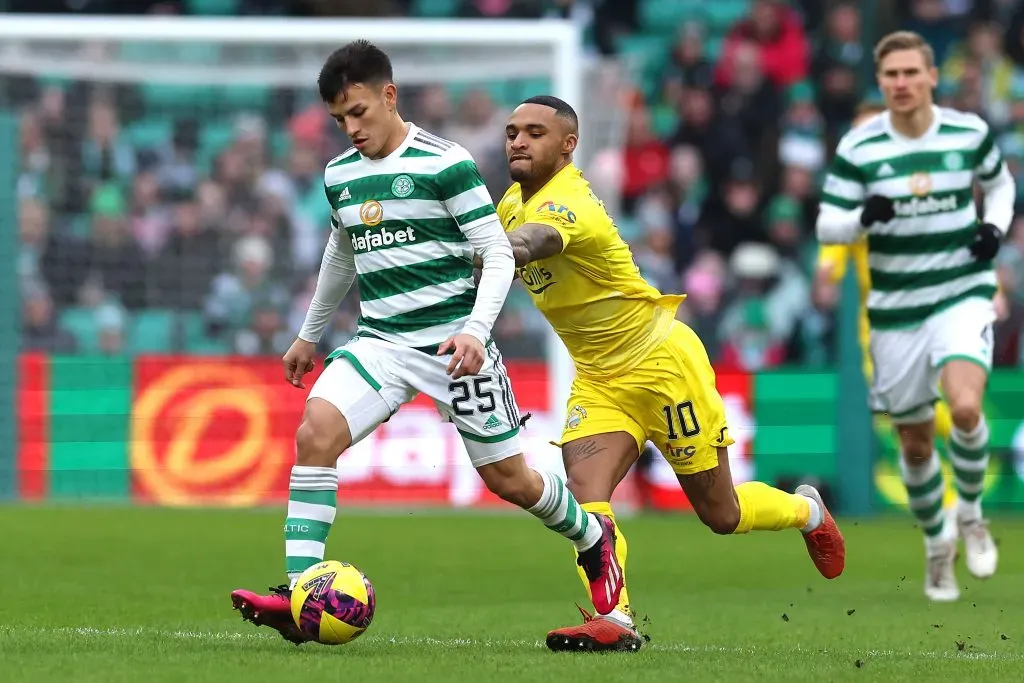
(147,246)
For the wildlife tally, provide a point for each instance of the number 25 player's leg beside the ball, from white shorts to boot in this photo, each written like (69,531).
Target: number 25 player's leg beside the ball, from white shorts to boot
(344,407)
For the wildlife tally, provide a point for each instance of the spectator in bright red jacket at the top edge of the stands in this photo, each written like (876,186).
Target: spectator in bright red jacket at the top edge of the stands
(779,33)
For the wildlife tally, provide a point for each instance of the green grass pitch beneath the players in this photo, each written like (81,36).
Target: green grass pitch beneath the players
(107,595)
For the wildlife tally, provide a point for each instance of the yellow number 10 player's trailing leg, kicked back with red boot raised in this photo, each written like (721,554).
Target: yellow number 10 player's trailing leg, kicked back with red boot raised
(689,419)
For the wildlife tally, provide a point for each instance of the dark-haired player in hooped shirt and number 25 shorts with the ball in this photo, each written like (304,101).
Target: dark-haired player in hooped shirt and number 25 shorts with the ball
(409,215)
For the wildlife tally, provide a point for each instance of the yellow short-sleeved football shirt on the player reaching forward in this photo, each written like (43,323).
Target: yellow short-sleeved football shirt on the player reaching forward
(608,316)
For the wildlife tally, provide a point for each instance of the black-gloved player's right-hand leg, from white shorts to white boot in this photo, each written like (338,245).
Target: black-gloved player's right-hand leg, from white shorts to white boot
(965,357)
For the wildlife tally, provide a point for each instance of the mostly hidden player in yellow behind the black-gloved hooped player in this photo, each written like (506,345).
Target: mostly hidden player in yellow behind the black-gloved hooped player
(833,263)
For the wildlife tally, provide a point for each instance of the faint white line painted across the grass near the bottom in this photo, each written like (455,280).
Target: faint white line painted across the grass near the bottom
(474,643)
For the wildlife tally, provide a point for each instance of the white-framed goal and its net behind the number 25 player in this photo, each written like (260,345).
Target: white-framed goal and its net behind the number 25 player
(172,219)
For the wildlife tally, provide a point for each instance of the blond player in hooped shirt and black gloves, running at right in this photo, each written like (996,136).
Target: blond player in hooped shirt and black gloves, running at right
(906,181)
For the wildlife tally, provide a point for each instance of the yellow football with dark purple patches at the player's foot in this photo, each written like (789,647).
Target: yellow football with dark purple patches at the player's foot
(333,603)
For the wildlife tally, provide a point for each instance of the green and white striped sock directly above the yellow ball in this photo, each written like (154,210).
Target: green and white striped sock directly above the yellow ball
(312,505)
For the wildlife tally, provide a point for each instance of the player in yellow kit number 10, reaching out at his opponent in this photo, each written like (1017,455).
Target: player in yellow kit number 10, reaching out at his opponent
(641,373)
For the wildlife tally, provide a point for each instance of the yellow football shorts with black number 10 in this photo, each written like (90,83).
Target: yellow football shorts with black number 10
(669,399)
